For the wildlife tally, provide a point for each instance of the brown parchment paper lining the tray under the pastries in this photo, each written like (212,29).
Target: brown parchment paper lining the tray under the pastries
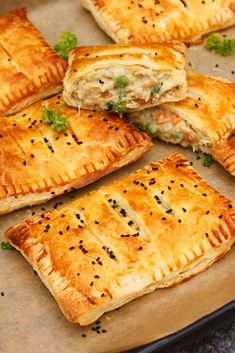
(30,320)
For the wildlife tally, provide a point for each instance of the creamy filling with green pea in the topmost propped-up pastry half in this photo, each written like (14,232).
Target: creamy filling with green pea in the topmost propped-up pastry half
(120,90)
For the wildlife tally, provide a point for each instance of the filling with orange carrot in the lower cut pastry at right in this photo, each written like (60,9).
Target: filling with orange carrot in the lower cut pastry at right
(170,127)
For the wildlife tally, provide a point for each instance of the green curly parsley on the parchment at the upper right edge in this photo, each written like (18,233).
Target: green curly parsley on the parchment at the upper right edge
(220,45)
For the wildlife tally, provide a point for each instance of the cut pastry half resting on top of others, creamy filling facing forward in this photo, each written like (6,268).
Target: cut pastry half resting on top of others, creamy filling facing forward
(123,78)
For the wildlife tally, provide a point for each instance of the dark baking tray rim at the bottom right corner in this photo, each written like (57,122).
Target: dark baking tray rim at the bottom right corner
(168,340)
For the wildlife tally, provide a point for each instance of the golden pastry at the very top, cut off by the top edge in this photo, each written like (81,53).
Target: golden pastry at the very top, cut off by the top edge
(146,21)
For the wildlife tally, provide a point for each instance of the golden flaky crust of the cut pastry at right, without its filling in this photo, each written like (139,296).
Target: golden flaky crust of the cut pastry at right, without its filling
(209,111)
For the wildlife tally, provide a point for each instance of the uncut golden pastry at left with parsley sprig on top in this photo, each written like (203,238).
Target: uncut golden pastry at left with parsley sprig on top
(38,163)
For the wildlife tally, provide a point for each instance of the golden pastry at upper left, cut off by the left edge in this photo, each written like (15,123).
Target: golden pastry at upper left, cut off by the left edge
(29,68)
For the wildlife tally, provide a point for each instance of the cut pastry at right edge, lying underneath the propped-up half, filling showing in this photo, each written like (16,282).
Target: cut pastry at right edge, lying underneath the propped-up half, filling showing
(205,120)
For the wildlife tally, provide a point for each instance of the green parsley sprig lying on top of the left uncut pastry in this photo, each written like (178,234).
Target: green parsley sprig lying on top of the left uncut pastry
(57,121)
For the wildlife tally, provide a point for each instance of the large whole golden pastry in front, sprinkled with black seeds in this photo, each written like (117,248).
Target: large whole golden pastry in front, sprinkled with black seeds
(152,229)
